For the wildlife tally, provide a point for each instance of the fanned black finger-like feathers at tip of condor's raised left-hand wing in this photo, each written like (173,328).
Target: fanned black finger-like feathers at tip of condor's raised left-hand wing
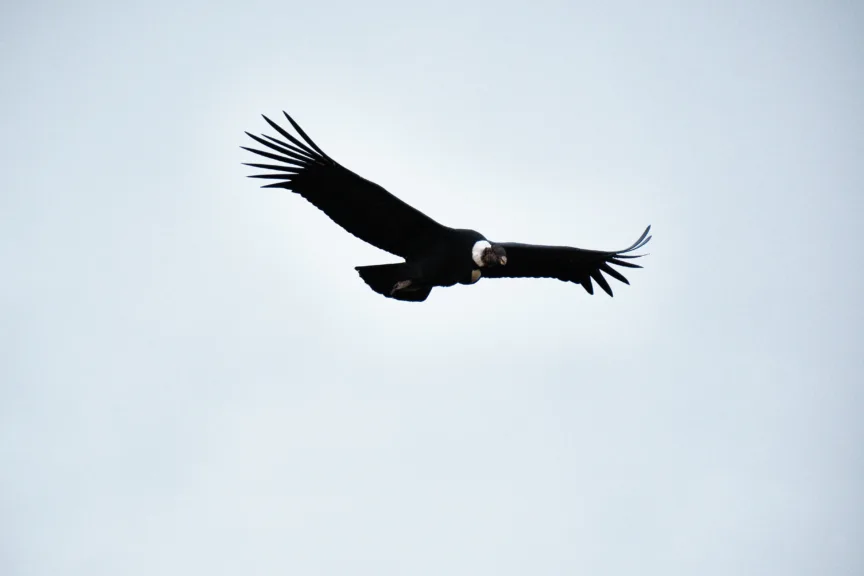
(295,154)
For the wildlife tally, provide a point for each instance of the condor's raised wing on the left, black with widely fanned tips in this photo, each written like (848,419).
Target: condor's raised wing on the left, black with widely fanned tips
(361,207)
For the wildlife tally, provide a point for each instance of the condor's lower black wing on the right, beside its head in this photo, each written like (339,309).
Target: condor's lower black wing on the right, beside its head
(567,264)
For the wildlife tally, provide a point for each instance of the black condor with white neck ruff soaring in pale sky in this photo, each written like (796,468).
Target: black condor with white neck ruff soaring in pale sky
(434,254)
